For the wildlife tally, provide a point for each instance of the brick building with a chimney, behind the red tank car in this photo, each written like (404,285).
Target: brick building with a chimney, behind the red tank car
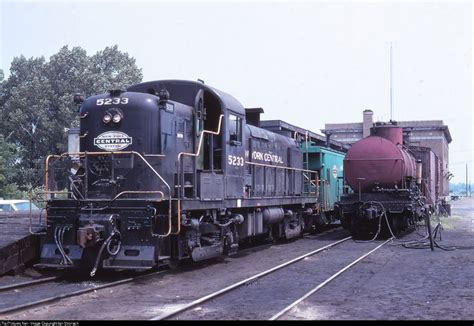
(427,133)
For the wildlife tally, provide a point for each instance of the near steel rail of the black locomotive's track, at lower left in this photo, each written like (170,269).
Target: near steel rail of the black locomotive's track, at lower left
(76,293)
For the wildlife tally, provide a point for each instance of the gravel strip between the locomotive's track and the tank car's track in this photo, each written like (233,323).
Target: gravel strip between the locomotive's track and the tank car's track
(147,298)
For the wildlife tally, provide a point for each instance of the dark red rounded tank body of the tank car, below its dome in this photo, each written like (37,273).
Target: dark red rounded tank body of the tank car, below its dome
(376,161)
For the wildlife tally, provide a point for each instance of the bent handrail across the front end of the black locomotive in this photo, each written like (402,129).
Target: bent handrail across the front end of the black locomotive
(83,154)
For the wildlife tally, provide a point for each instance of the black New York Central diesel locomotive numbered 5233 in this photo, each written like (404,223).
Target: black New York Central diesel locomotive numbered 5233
(171,170)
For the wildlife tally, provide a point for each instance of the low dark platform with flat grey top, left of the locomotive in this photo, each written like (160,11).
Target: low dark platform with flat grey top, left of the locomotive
(17,246)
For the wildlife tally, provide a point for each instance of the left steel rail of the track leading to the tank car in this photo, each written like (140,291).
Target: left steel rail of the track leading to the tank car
(246,281)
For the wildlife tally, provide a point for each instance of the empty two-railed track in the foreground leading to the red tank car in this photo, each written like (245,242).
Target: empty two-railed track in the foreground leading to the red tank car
(200,304)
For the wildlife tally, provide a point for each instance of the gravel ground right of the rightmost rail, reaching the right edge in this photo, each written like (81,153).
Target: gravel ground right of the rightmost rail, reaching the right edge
(399,283)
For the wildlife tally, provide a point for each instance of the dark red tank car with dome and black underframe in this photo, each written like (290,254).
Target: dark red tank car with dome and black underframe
(386,180)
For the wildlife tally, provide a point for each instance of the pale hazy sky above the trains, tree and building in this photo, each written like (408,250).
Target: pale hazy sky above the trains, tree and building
(307,63)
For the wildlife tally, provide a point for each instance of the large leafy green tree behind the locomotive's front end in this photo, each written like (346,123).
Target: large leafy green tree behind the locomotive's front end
(36,102)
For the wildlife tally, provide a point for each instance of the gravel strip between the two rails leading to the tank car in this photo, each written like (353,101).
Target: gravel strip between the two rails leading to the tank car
(263,298)
